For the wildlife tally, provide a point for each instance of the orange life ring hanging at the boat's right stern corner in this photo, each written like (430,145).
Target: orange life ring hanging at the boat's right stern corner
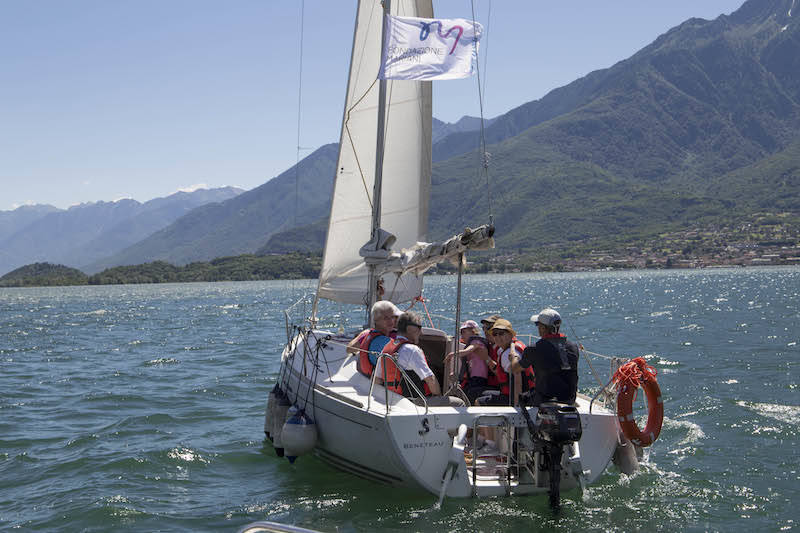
(629,378)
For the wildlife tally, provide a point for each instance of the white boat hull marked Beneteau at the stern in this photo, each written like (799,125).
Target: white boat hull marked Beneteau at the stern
(407,444)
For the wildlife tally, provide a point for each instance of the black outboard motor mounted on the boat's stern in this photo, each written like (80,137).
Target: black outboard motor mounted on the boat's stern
(556,425)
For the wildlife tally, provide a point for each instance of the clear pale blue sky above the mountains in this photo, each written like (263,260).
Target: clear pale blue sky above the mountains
(101,100)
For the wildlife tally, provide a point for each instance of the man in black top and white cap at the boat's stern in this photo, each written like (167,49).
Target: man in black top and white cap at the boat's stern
(554,360)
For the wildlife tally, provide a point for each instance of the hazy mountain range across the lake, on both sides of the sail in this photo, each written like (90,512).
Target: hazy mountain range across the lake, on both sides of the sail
(699,127)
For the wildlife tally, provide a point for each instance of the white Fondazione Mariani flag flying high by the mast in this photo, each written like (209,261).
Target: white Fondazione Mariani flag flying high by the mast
(429,49)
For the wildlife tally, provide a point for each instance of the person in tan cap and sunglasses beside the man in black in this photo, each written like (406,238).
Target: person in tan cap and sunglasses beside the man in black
(509,350)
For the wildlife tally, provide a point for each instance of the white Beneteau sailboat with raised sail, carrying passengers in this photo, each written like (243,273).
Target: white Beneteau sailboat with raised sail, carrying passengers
(377,232)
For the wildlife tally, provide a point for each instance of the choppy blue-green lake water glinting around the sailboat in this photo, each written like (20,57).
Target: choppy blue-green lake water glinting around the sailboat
(141,407)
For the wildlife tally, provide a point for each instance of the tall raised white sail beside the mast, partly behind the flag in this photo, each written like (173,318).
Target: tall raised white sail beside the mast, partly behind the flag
(406,168)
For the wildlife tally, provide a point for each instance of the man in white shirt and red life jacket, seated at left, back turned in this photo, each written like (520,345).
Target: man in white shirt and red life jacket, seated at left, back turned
(411,358)
